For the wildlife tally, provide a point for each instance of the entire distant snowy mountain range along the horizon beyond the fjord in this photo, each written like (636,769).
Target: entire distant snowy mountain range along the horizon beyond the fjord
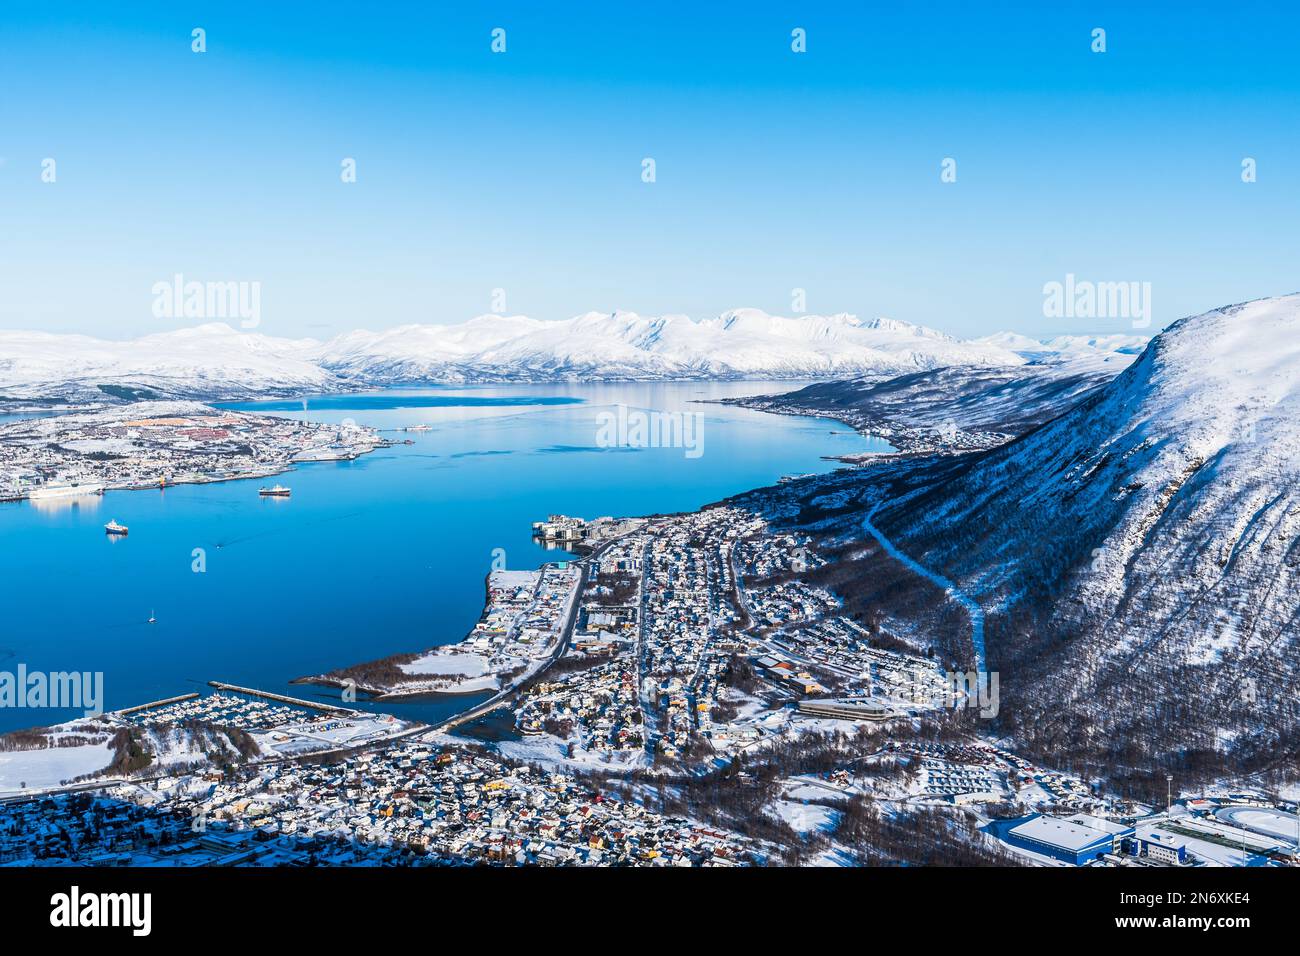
(219,362)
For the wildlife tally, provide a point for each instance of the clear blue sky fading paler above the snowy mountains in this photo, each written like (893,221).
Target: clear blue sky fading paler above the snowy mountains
(523,171)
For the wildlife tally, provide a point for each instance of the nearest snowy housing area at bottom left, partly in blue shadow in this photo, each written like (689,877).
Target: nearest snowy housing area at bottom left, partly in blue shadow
(384,798)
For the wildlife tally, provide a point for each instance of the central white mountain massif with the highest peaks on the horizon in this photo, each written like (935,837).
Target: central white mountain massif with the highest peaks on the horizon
(625,345)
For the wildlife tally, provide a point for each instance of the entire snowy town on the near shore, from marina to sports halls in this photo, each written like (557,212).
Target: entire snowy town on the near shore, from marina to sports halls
(683,693)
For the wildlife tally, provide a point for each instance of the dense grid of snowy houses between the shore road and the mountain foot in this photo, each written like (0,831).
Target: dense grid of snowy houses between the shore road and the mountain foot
(697,641)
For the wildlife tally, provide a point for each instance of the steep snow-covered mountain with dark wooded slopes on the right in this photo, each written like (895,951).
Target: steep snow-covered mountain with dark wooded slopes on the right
(1141,555)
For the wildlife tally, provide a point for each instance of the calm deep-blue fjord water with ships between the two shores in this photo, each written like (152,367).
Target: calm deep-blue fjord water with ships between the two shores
(369,559)
